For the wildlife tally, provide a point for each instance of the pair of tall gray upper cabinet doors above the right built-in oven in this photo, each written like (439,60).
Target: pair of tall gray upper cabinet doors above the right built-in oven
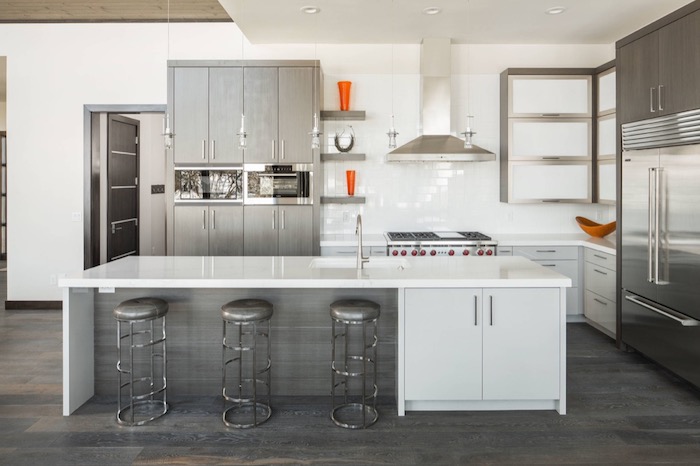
(279,114)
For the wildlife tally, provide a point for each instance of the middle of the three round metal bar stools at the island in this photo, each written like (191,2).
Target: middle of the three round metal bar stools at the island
(252,319)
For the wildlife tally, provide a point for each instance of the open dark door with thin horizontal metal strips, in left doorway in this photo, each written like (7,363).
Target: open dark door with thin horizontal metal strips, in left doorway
(122,187)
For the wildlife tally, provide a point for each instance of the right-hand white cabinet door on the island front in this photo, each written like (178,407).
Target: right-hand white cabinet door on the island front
(521,344)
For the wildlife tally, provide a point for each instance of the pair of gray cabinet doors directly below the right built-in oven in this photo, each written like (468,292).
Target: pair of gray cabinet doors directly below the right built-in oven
(278,230)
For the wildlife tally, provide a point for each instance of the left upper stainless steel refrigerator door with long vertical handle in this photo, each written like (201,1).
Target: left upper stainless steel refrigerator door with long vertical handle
(638,217)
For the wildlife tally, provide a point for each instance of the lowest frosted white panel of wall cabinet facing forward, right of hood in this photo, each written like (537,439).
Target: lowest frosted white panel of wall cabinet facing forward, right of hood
(550,181)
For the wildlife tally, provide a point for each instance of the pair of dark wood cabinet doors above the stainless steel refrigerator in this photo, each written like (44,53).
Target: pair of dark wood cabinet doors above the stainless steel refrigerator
(658,71)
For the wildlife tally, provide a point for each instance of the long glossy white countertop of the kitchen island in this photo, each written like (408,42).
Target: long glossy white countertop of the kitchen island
(330,272)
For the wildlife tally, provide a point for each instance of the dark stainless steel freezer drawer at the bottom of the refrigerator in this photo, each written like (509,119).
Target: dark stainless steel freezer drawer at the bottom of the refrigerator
(661,338)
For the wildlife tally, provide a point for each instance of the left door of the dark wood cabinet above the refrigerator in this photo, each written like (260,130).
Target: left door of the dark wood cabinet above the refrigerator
(638,66)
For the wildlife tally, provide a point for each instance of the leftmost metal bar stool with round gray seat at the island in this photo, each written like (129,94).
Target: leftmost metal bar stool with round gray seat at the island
(146,381)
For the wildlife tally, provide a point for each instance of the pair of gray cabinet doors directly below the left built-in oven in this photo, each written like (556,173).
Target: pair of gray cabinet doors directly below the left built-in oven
(208,230)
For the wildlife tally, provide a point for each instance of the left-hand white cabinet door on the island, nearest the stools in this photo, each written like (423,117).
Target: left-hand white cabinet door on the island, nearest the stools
(443,344)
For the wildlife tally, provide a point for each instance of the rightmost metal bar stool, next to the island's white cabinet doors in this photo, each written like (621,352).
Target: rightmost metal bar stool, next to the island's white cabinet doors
(358,411)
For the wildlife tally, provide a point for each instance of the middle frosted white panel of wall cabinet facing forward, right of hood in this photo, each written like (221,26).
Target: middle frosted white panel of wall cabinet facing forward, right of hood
(549,138)
